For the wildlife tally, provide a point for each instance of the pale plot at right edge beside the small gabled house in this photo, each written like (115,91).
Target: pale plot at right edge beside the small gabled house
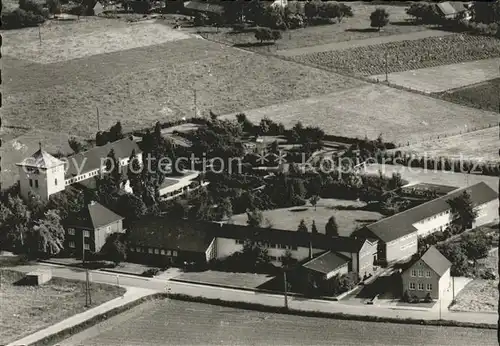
(480,295)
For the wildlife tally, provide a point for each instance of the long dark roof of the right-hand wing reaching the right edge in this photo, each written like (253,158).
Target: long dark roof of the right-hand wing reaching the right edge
(401,224)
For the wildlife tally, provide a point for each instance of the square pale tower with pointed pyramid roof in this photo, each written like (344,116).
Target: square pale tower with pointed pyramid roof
(41,174)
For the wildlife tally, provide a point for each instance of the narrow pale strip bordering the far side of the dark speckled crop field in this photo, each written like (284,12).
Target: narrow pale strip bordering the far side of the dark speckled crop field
(362,43)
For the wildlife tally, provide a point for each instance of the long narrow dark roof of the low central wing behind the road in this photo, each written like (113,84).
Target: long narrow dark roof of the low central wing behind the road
(278,236)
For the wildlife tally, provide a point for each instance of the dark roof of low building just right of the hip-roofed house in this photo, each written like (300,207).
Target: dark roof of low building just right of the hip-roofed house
(171,234)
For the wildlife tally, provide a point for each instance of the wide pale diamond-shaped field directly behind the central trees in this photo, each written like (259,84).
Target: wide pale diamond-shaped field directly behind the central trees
(375,109)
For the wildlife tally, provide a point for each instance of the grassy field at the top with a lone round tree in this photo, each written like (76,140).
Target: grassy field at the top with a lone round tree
(355,28)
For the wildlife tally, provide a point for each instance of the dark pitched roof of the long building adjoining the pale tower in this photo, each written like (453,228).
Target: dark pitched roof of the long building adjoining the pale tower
(91,159)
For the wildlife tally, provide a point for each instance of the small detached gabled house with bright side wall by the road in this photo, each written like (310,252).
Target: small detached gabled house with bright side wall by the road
(429,275)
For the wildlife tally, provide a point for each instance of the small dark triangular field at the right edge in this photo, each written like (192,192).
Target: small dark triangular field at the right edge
(484,95)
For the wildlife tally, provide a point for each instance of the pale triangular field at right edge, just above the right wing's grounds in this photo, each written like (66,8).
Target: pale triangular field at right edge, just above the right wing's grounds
(478,145)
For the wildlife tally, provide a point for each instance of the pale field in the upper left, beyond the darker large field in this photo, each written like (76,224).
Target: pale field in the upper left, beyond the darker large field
(62,41)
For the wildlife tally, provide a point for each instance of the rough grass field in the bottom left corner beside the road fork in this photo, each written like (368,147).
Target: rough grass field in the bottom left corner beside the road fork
(27,309)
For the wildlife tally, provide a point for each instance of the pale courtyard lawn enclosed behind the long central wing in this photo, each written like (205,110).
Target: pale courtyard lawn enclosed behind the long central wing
(347,220)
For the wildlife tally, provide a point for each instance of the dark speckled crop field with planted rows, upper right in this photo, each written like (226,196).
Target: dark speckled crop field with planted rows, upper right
(405,55)
